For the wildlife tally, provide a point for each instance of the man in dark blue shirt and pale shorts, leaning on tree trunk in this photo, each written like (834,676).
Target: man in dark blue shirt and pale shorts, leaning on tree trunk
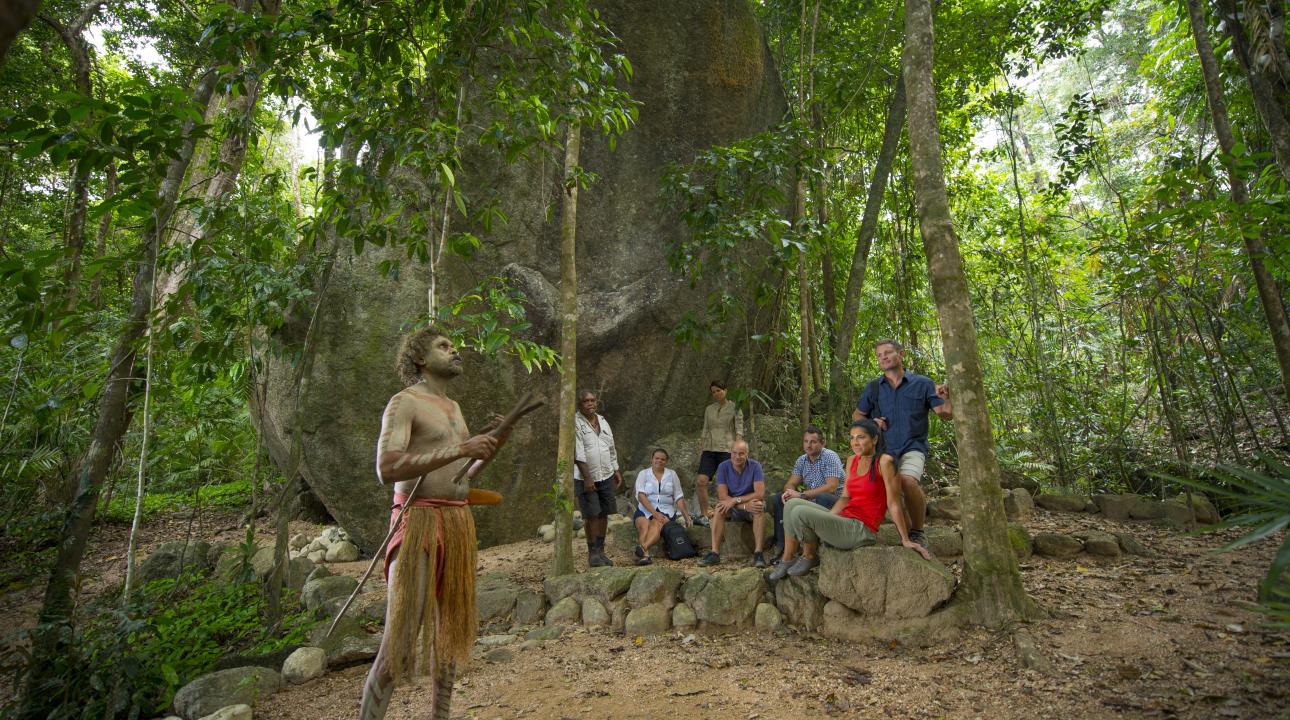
(898,403)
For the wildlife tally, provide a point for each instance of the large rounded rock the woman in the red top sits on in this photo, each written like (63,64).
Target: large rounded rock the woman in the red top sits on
(892,583)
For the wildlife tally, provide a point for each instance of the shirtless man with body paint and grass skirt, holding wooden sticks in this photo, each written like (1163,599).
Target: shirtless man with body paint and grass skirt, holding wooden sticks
(430,565)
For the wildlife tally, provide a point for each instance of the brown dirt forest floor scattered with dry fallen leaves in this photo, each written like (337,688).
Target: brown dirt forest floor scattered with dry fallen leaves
(1164,637)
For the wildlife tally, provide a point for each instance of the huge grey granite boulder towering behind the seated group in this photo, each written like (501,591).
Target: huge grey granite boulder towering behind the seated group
(704,77)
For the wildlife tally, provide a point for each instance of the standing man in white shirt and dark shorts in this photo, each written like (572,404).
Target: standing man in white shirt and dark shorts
(598,475)
